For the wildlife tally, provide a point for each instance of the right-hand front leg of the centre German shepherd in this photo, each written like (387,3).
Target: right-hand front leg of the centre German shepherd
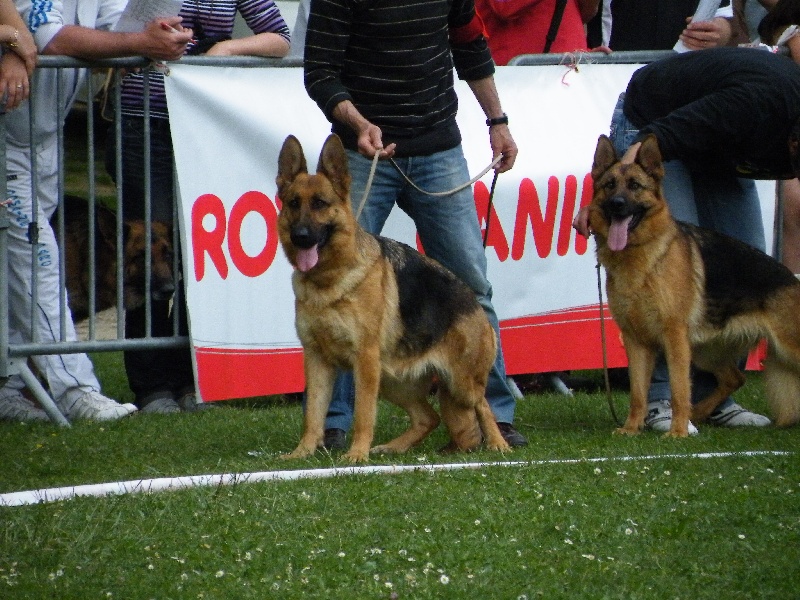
(367,375)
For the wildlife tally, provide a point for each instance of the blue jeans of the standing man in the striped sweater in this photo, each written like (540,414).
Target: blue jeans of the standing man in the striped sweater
(449,231)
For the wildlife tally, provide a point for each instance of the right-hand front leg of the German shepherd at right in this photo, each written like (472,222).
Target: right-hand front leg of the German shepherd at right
(678,352)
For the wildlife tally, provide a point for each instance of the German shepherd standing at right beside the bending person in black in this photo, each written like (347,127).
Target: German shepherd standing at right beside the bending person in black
(697,295)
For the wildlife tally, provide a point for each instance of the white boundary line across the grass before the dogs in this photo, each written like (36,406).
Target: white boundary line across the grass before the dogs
(177,483)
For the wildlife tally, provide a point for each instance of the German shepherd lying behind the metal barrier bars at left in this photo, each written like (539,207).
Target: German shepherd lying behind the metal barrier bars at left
(76,258)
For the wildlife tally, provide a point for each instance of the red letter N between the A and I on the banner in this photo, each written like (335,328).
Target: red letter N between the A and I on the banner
(529,211)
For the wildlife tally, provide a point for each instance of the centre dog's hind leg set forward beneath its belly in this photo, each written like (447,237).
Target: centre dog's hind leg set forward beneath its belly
(413,398)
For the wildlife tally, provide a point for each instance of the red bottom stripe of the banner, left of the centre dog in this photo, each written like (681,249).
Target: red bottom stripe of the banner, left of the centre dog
(225,374)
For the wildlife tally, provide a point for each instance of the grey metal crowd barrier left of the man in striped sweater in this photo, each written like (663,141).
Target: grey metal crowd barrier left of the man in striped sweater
(14,357)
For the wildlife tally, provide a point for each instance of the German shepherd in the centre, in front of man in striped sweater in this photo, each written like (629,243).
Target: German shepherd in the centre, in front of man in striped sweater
(398,319)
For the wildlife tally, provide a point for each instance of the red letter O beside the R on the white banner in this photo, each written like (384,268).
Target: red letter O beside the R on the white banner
(252,202)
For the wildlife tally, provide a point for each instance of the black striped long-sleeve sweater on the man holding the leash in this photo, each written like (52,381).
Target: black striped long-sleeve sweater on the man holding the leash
(394,60)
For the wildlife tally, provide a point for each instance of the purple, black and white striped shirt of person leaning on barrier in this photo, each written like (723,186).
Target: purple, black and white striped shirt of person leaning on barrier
(214,18)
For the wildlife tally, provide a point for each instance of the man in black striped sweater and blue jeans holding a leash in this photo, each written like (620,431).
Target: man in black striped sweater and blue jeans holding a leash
(382,72)
